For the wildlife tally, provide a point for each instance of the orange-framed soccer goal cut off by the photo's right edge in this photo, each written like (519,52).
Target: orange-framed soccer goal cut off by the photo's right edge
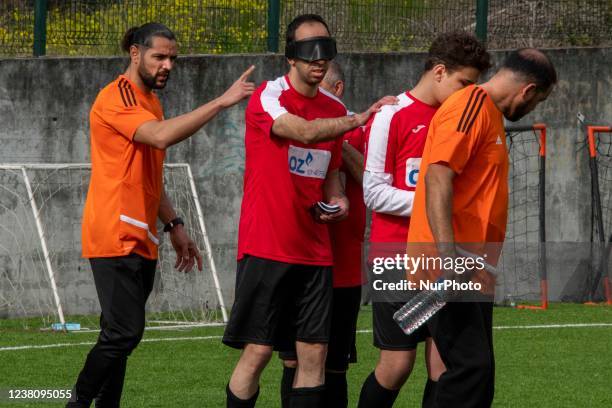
(599,139)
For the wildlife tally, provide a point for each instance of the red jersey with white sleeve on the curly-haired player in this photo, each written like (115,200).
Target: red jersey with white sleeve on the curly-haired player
(396,139)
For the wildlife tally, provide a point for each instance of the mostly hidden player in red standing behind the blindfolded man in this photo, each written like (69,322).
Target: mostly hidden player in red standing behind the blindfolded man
(347,243)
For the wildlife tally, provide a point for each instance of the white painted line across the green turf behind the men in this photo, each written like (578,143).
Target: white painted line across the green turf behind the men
(194,338)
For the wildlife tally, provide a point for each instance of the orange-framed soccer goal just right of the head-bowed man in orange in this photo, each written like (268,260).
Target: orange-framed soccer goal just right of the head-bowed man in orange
(523,275)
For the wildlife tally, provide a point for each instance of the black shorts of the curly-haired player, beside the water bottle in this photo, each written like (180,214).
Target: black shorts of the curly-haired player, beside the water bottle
(387,334)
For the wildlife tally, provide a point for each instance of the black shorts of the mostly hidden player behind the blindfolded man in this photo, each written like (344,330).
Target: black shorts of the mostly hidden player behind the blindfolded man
(341,347)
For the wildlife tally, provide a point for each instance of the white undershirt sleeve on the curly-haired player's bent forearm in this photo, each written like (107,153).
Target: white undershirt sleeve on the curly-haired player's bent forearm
(379,195)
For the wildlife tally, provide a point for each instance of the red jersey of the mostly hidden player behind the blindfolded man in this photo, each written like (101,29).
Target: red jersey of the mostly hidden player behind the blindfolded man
(347,235)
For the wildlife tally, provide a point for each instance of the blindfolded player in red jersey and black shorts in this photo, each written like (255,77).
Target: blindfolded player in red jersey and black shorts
(284,278)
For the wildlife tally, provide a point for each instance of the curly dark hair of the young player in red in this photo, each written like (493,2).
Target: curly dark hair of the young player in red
(458,49)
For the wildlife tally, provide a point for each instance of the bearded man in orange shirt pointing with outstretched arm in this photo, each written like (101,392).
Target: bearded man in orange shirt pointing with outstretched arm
(126,196)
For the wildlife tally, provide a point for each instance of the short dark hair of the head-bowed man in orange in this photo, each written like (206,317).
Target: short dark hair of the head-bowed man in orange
(533,66)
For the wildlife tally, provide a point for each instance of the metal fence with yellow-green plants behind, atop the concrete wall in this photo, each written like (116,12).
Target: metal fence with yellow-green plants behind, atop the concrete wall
(95,27)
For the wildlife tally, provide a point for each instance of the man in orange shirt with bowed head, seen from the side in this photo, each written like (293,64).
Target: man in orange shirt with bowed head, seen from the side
(464,200)
